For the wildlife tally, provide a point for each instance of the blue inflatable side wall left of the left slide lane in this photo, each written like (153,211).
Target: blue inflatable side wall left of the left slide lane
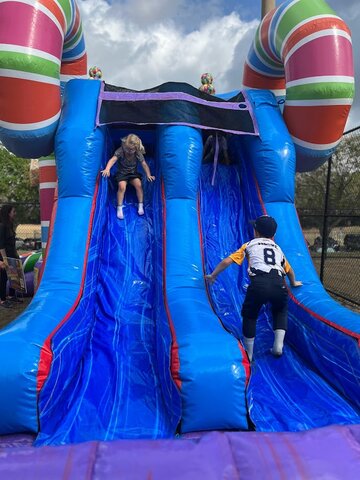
(22,342)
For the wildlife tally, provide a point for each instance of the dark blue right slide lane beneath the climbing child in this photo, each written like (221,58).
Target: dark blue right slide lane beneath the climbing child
(284,394)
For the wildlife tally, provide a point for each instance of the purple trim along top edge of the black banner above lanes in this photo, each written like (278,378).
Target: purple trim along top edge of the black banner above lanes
(137,97)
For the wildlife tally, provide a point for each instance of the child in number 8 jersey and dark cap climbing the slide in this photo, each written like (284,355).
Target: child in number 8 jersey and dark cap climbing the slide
(267,267)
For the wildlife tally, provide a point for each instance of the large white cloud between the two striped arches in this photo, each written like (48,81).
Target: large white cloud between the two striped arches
(140,55)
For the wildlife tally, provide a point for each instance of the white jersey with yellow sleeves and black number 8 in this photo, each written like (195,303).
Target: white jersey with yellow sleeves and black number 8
(263,255)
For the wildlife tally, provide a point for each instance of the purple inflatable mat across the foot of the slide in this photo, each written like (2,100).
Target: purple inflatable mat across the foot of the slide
(330,452)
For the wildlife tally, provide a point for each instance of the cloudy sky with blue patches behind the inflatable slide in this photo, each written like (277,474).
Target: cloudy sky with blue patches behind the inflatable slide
(142,43)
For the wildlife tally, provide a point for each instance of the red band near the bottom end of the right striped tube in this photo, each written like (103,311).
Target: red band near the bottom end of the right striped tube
(301,122)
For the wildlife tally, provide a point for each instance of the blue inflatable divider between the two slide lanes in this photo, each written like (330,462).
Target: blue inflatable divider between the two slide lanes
(211,363)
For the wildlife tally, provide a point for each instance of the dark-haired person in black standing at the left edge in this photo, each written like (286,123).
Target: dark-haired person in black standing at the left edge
(7,249)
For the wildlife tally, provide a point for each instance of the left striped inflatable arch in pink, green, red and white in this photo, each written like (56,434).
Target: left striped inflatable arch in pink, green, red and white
(42,44)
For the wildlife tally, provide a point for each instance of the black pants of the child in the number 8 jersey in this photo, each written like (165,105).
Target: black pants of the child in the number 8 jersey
(265,288)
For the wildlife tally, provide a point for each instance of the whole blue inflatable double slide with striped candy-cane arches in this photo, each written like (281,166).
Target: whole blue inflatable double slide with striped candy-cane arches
(124,340)
